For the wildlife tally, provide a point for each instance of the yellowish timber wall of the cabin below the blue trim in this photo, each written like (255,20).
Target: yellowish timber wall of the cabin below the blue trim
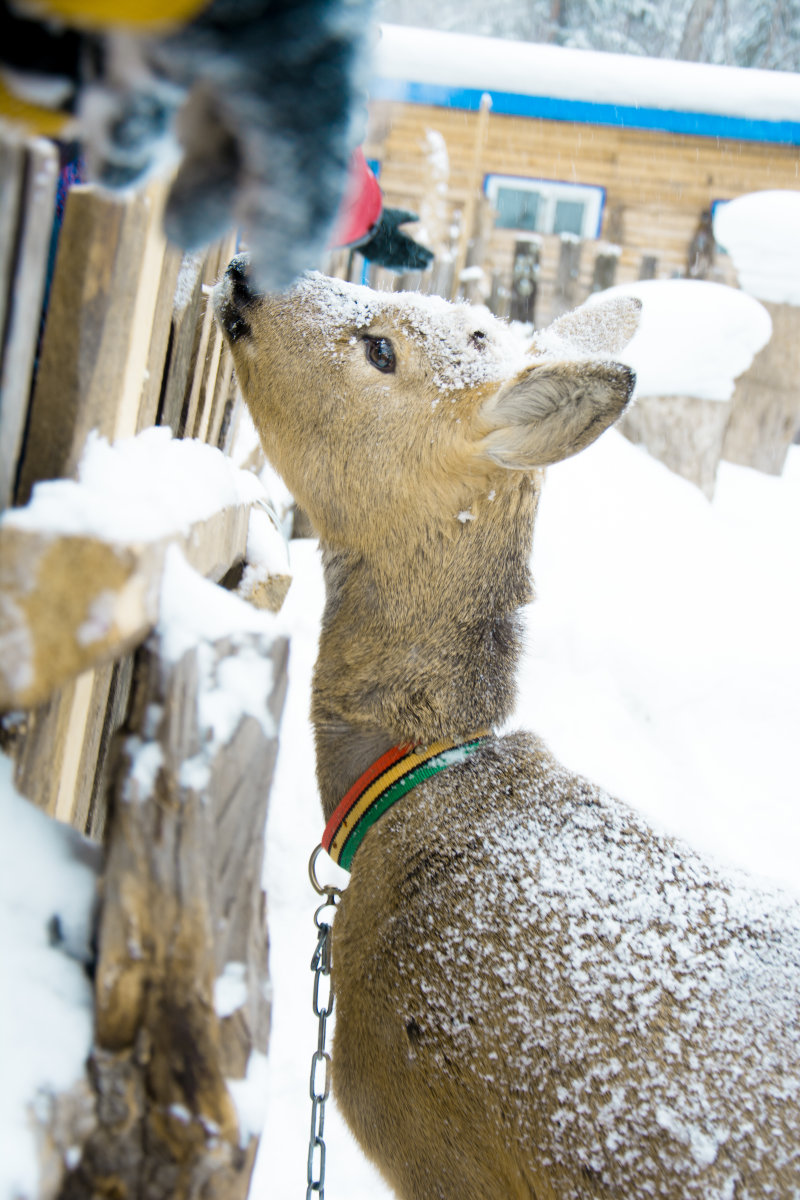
(657,184)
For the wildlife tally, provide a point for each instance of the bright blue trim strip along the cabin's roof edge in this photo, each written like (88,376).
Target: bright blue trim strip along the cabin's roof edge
(665,121)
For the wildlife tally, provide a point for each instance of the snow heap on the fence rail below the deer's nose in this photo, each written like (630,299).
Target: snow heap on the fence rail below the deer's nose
(139,490)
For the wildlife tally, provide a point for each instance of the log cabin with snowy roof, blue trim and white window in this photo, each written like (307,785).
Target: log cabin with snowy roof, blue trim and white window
(569,170)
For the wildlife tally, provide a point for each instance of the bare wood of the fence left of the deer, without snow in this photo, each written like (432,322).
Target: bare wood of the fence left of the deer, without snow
(129,343)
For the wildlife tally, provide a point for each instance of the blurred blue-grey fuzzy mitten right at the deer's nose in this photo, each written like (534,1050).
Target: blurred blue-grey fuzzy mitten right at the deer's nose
(276,103)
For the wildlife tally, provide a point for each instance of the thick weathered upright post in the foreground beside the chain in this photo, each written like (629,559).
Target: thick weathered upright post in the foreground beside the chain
(183,910)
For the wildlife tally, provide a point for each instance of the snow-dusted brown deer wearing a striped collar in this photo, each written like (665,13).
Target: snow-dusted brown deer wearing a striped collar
(538,994)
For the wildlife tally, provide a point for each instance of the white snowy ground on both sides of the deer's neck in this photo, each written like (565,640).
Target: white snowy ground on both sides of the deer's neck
(664,661)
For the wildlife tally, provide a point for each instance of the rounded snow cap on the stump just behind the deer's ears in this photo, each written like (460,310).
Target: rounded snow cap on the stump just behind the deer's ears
(695,339)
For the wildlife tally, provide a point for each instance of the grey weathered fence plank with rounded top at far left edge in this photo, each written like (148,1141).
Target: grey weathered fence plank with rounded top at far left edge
(23,301)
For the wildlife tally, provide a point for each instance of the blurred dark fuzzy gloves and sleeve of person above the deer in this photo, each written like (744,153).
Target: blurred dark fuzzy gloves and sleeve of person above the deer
(267,99)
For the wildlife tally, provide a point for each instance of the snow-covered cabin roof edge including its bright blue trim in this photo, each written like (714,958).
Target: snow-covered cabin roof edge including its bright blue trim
(431,67)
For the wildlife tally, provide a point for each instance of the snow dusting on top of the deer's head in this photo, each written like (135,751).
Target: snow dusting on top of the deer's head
(342,311)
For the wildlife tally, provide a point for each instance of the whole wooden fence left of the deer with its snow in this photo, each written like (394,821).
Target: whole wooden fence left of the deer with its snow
(141,700)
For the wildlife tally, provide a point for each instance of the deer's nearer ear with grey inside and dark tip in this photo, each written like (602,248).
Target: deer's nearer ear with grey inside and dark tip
(554,410)
